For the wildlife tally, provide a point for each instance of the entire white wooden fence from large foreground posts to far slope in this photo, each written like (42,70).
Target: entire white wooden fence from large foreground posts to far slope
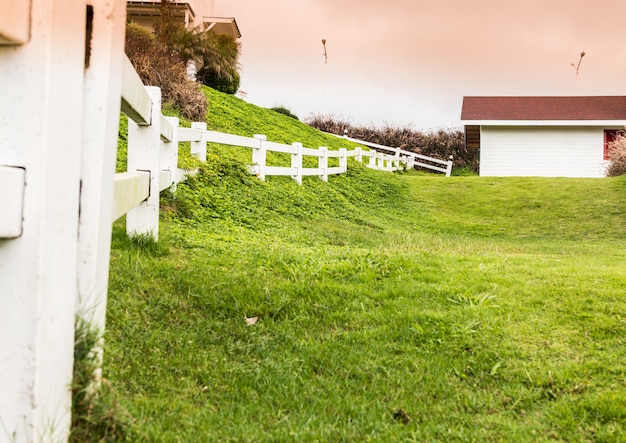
(62,74)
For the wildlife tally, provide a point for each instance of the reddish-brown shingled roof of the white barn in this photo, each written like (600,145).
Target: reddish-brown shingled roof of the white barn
(544,108)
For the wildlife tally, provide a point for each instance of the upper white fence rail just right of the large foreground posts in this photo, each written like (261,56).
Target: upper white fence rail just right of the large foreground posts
(136,102)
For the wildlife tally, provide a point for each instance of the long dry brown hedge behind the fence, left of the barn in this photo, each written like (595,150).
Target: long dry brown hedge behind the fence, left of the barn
(441,143)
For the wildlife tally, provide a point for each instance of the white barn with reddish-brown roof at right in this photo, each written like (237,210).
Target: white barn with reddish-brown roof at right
(543,136)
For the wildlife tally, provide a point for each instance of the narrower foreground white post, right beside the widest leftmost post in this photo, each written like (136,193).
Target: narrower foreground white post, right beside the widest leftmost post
(101,113)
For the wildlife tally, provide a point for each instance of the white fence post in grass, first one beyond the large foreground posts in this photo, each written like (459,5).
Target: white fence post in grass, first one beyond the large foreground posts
(143,155)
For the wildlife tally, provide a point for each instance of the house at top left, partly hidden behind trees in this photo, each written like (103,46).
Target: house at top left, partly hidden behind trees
(191,13)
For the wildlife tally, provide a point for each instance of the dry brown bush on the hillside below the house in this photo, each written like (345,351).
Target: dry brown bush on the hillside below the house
(160,67)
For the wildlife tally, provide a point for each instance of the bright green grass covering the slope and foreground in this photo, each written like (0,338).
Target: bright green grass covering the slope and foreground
(389,308)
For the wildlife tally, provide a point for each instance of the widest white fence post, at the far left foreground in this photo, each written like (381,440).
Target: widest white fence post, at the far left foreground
(42,90)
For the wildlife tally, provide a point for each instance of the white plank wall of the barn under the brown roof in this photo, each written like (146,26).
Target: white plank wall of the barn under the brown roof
(551,151)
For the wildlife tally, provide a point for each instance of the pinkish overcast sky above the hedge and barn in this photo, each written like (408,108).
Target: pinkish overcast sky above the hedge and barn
(410,62)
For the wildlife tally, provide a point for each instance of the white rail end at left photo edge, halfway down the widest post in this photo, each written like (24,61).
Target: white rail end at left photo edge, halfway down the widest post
(12,184)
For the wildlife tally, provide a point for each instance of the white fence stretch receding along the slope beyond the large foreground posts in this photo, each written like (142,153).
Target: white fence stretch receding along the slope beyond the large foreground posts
(153,155)
